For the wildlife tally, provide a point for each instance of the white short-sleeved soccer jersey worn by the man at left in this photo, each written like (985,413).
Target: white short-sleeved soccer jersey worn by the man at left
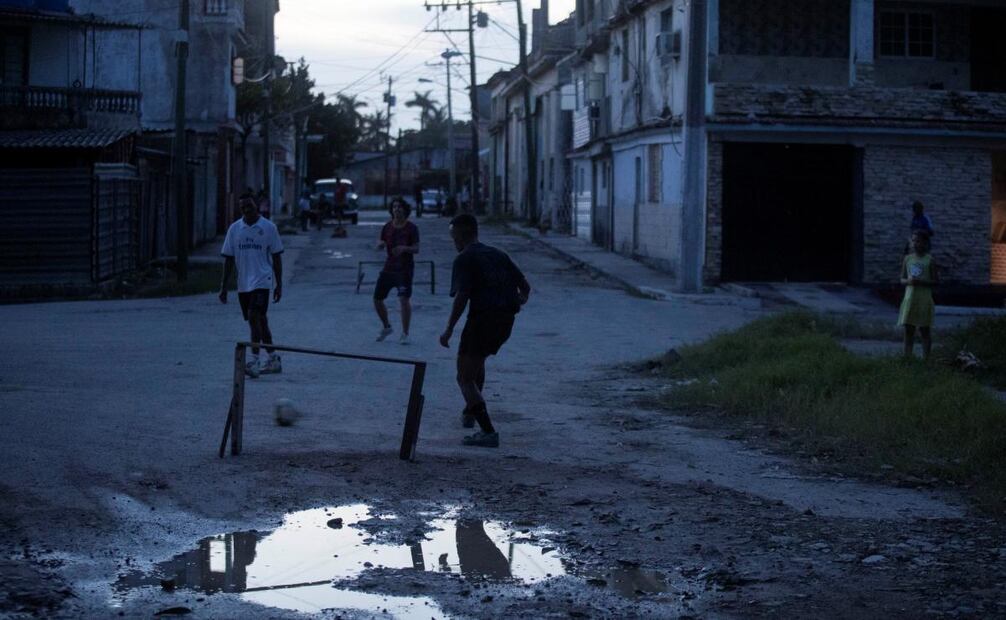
(253,248)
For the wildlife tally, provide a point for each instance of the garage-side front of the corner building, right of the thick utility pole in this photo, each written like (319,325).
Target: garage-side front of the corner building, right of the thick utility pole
(826,120)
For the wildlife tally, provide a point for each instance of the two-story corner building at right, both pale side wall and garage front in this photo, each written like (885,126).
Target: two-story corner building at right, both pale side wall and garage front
(814,126)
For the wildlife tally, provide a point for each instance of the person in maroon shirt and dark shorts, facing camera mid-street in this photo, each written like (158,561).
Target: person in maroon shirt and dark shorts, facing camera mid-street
(401,239)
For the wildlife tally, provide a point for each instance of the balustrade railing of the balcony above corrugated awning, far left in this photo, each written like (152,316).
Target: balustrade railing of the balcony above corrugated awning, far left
(72,100)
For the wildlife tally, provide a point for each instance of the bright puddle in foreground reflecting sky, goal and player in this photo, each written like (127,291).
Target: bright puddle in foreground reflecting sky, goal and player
(294,566)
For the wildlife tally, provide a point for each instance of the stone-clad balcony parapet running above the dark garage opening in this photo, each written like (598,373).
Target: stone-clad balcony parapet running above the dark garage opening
(860,106)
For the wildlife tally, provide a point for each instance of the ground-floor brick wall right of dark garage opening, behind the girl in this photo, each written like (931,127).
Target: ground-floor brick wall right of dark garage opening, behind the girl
(956,187)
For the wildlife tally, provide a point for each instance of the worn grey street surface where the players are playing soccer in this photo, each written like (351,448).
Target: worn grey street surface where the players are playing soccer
(113,413)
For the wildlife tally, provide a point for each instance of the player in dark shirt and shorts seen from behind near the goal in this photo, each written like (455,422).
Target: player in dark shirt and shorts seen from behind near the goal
(494,289)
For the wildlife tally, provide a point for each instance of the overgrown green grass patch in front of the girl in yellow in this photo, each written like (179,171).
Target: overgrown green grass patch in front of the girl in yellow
(924,420)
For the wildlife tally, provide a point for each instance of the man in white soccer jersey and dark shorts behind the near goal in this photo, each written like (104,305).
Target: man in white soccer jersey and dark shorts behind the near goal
(253,245)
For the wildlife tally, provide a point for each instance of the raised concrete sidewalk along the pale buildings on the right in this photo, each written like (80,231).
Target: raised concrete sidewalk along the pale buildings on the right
(632,275)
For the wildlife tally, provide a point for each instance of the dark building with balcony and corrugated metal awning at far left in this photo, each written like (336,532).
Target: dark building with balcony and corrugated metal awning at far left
(69,184)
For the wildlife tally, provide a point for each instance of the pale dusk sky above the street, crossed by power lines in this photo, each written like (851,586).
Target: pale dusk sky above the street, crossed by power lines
(354,46)
